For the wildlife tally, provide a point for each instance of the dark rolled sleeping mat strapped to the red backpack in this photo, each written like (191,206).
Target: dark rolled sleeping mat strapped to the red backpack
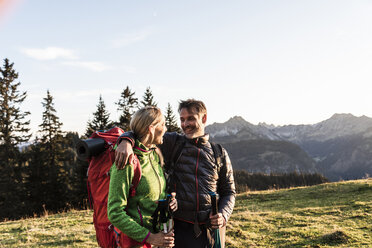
(85,149)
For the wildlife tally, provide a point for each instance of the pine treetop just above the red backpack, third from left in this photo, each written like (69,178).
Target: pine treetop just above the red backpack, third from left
(101,119)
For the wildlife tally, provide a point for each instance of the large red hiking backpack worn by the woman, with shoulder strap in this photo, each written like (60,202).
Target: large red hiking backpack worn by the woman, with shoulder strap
(98,188)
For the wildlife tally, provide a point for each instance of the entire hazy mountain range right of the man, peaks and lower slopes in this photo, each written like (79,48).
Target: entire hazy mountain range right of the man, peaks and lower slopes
(339,147)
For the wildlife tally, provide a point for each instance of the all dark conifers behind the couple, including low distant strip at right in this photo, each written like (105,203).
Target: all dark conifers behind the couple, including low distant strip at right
(44,174)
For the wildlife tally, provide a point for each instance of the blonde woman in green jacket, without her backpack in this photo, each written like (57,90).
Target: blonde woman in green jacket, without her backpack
(133,216)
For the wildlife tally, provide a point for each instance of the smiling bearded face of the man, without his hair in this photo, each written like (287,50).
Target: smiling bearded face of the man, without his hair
(192,124)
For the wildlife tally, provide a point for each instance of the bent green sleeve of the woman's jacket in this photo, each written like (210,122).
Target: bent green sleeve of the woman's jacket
(120,181)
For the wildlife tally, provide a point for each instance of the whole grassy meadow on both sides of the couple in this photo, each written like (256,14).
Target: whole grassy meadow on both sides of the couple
(327,215)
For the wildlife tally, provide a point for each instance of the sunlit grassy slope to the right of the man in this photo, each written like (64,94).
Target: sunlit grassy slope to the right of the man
(327,215)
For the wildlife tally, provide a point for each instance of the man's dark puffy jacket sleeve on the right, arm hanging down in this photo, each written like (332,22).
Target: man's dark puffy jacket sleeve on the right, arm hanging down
(226,187)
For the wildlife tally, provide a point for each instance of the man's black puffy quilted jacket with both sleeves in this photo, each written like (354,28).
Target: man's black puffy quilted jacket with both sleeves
(195,174)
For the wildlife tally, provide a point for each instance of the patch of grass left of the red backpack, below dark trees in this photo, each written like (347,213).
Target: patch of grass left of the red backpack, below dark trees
(70,229)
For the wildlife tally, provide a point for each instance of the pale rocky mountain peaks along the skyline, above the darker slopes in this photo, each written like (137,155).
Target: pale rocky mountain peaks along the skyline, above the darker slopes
(339,125)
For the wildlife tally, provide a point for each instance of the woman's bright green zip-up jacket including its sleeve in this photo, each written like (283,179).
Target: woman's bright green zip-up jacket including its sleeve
(133,216)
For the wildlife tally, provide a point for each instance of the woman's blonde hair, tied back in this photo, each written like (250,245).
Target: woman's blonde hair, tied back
(143,118)
